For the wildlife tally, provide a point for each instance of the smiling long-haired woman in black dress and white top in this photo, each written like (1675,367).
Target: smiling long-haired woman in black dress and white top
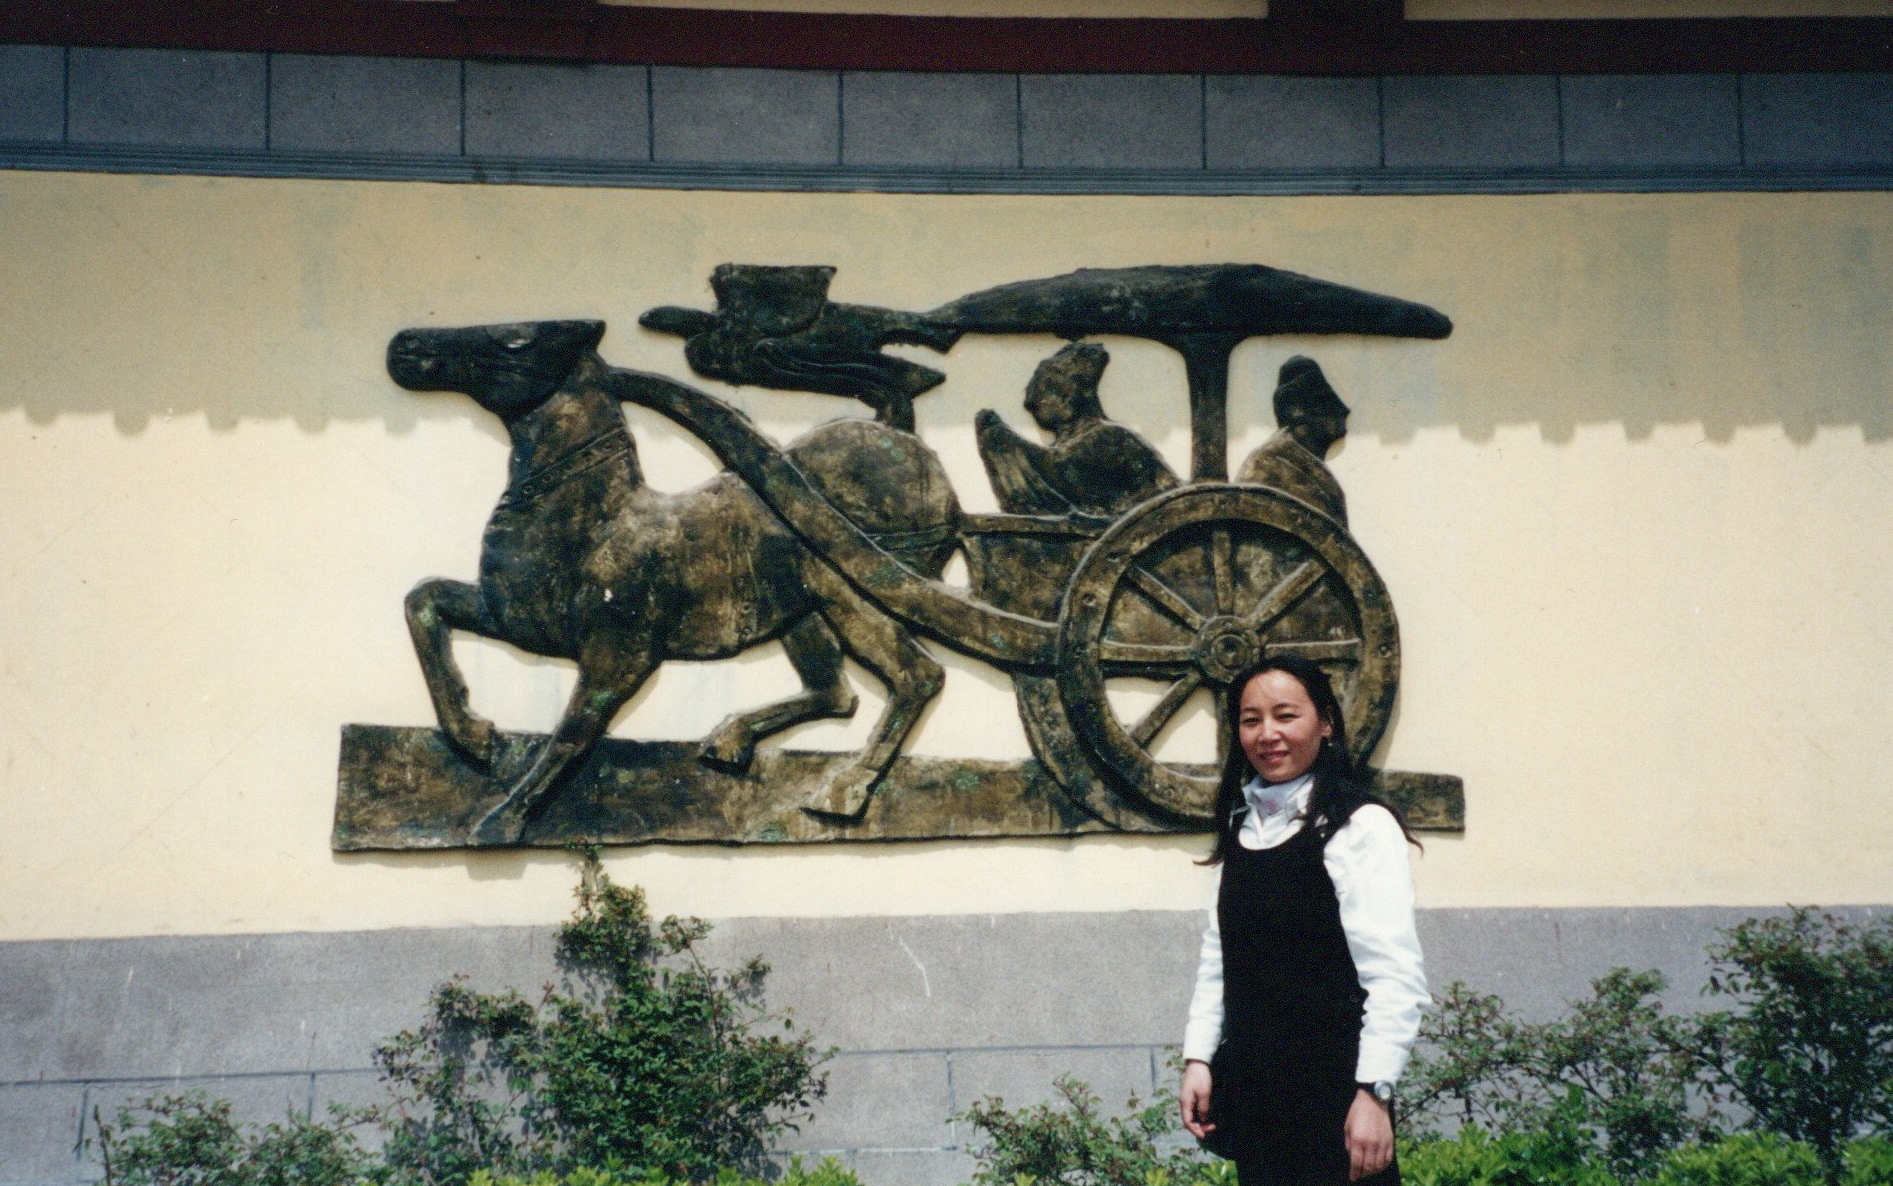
(1311,985)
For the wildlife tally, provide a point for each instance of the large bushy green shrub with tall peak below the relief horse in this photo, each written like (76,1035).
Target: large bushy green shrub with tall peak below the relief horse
(652,1066)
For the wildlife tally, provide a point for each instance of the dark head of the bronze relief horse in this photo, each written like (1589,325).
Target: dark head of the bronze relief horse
(508,370)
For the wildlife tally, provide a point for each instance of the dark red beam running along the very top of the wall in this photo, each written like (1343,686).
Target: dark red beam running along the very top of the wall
(1303,37)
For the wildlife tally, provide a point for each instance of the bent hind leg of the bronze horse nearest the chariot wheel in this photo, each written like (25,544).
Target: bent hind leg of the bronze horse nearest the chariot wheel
(900,663)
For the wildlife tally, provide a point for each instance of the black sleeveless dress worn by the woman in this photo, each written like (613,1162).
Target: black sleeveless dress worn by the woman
(1283,1081)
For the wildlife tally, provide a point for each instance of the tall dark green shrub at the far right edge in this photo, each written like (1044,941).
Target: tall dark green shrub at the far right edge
(1811,1049)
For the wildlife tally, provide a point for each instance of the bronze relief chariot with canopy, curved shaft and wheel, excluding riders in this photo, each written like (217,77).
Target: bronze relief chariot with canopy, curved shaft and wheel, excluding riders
(1175,597)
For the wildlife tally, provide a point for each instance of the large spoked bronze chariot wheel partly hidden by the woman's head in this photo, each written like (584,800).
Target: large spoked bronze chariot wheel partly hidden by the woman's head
(1182,595)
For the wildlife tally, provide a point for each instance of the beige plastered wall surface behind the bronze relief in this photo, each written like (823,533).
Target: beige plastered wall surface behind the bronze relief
(1633,517)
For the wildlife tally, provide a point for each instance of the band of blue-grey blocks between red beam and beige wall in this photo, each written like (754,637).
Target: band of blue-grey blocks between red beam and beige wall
(368,116)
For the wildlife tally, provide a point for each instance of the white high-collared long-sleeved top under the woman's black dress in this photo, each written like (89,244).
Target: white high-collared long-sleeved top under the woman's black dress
(1368,863)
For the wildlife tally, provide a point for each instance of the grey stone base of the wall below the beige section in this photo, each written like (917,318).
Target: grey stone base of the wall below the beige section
(930,1015)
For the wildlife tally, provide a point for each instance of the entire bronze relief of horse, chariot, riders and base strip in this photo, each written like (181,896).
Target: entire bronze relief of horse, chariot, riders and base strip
(1103,572)
